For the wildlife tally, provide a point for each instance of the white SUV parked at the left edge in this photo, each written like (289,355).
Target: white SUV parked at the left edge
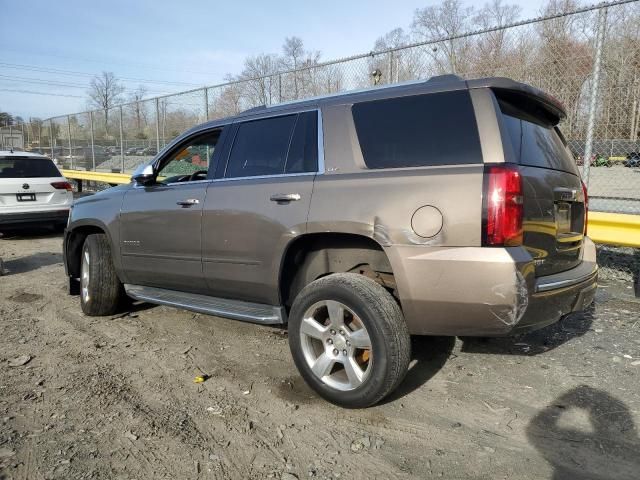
(32,191)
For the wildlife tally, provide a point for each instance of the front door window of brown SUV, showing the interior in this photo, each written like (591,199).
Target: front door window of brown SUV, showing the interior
(191,161)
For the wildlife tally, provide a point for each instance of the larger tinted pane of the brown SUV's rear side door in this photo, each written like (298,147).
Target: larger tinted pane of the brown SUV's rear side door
(260,147)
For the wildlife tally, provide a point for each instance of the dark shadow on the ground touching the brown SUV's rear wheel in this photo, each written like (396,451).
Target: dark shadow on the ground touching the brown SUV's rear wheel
(428,356)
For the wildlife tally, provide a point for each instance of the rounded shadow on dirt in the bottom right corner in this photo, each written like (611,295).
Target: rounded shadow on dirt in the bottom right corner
(587,434)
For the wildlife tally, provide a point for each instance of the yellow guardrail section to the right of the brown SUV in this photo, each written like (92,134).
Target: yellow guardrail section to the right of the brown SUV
(614,229)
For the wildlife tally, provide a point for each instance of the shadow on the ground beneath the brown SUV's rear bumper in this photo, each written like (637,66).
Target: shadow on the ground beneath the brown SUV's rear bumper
(533,343)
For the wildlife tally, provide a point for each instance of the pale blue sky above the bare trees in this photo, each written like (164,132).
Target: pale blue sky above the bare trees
(184,44)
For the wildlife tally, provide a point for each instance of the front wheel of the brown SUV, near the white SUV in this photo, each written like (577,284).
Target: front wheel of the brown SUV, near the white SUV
(101,292)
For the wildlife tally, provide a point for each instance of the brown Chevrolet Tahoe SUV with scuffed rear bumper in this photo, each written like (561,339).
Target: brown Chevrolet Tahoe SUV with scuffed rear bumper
(445,207)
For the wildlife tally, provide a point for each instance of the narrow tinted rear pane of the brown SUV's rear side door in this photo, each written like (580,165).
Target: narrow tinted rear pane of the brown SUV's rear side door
(303,152)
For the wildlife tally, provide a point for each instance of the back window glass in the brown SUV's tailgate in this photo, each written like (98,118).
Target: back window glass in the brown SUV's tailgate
(538,145)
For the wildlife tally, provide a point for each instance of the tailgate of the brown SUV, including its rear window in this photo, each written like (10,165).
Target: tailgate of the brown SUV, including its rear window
(554,202)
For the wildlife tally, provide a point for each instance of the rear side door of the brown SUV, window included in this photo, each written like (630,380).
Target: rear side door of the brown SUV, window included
(259,206)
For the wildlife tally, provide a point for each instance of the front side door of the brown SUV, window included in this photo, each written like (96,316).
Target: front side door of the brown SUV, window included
(160,237)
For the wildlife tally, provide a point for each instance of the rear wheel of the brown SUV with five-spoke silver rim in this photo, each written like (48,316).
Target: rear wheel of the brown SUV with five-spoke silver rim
(318,338)
